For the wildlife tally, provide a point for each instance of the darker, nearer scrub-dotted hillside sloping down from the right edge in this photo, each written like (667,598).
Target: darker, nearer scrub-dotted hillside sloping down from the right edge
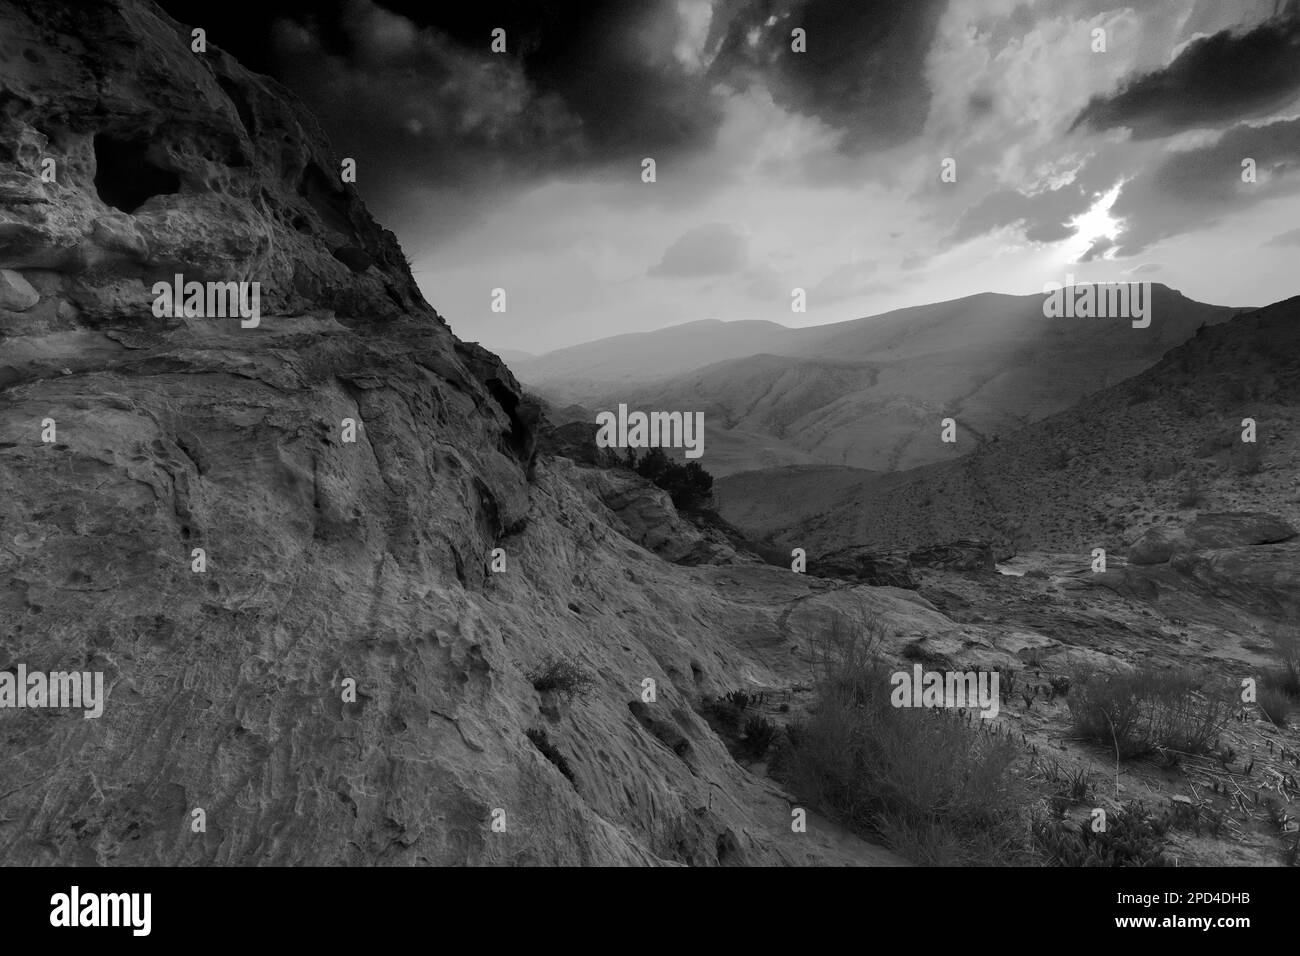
(1150,452)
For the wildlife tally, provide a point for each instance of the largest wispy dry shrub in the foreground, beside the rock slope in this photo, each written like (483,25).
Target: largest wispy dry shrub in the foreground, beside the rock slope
(937,788)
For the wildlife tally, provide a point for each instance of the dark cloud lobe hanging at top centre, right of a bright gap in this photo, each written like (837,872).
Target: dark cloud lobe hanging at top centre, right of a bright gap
(864,71)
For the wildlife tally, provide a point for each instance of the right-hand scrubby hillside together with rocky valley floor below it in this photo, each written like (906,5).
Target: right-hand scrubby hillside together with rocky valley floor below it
(1198,529)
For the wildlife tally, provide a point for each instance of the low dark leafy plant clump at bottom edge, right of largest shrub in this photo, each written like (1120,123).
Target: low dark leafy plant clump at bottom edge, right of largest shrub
(1132,838)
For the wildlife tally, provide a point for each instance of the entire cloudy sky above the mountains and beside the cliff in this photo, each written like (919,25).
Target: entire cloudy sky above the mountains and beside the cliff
(1087,140)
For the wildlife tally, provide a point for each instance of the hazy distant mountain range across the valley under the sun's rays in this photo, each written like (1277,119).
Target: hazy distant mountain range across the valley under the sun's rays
(870,393)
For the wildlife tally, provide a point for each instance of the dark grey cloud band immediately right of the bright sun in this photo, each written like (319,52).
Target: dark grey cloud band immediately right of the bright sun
(1195,189)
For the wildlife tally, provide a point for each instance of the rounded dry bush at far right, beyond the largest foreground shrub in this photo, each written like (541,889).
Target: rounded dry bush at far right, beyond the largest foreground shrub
(1147,710)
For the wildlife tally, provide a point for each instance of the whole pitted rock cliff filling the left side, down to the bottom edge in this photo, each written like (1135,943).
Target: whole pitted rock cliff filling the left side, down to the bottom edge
(185,511)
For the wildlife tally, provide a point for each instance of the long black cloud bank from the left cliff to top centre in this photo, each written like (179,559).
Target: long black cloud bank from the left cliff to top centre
(587,88)
